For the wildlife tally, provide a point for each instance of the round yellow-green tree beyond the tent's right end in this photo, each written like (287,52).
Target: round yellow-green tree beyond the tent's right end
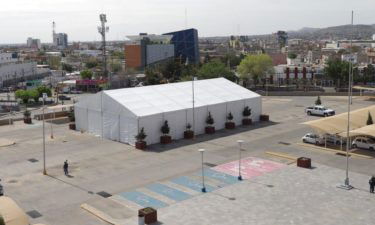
(255,67)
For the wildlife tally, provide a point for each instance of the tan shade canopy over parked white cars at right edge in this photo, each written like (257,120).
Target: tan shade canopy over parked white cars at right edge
(338,124)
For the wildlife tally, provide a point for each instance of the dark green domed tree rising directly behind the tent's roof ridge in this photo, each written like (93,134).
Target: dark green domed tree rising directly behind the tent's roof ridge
(215,68)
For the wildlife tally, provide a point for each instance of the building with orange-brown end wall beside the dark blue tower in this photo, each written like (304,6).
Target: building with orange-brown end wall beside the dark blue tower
(146,50)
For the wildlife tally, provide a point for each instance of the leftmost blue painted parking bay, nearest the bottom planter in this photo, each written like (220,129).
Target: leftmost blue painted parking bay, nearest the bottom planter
(143,200)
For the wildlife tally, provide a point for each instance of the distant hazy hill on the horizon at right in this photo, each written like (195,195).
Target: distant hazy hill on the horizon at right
(335,33)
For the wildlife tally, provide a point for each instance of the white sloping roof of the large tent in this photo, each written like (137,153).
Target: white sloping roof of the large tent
(148,100)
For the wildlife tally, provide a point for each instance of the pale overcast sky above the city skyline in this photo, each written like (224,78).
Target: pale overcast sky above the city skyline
(20,19)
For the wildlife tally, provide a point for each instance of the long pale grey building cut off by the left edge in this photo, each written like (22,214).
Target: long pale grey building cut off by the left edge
(12,70)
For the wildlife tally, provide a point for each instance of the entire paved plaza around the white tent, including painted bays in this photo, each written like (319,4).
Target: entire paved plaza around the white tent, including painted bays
(100,167)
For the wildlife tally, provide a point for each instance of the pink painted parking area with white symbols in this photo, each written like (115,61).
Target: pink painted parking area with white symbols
(250,167)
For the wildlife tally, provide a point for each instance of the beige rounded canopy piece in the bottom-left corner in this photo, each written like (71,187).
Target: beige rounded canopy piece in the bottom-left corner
(12,213)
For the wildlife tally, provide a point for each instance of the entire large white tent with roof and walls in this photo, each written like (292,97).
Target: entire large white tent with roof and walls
(119,114)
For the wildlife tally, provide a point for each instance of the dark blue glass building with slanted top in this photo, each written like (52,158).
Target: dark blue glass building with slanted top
(186,45)
